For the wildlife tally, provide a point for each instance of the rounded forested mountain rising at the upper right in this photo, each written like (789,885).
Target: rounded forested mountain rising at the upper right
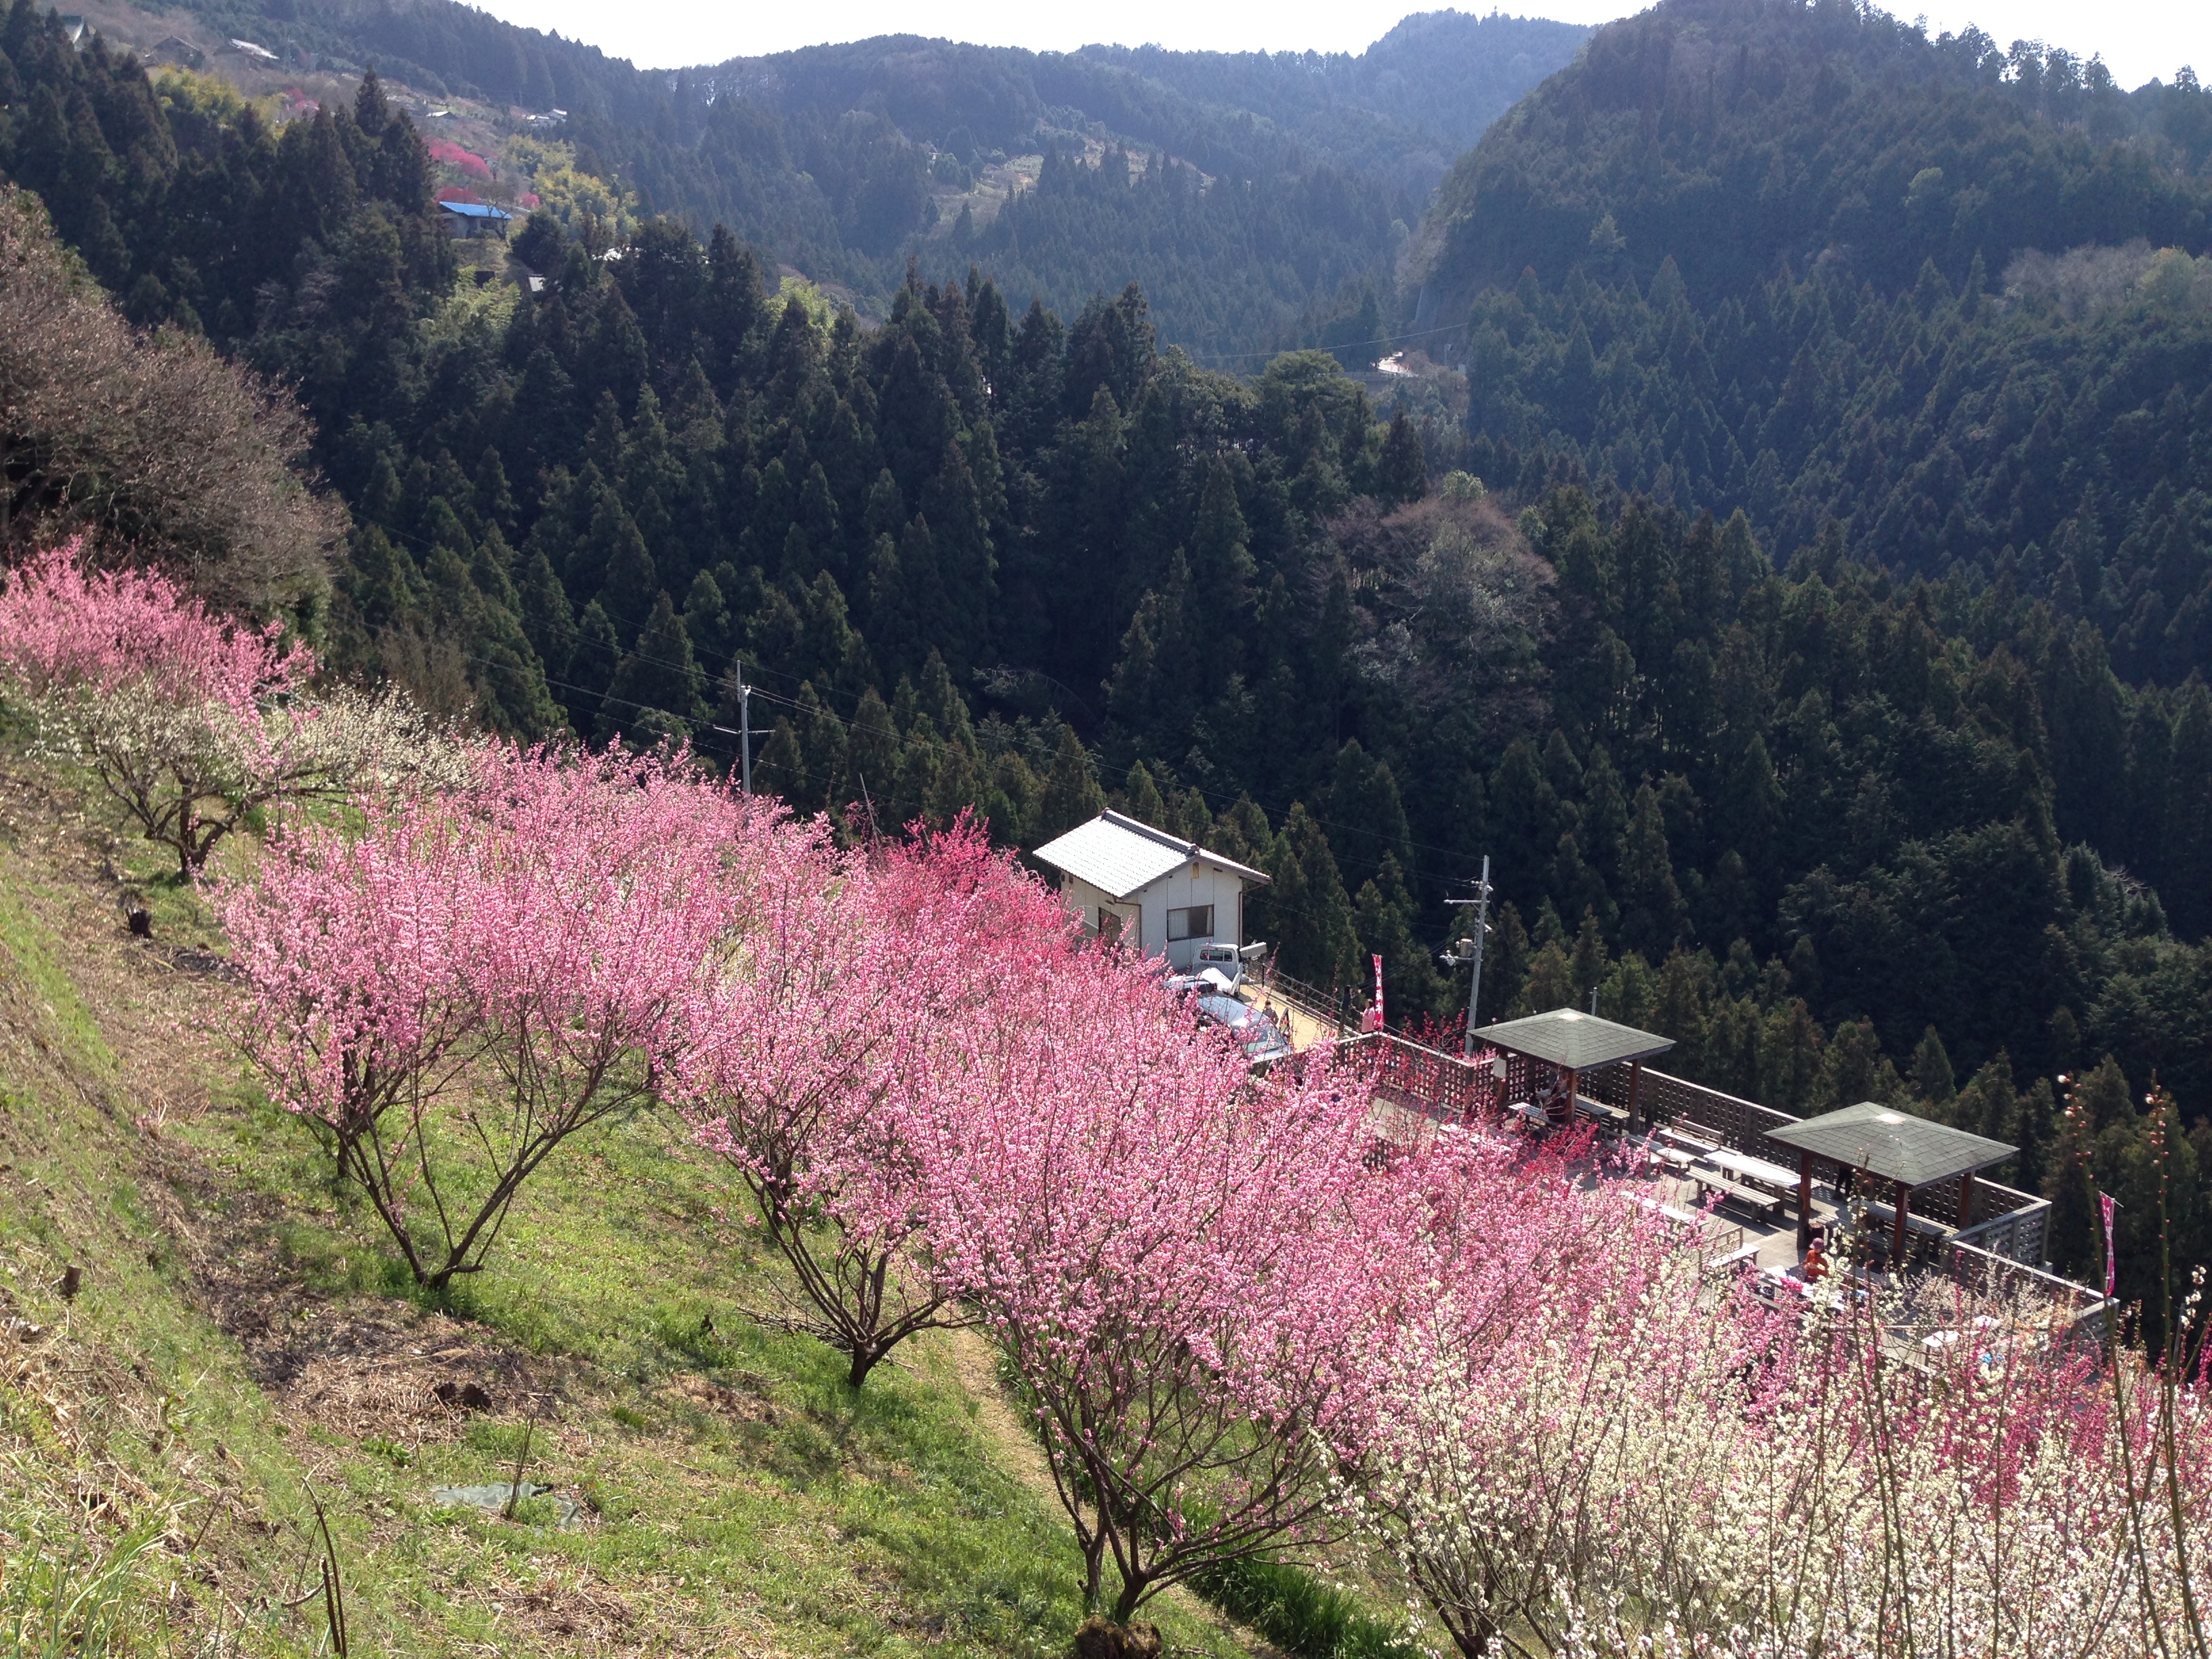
(1806,262)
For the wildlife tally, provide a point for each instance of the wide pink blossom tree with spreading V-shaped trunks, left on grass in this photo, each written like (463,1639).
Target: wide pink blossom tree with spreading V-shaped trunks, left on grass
(474,979)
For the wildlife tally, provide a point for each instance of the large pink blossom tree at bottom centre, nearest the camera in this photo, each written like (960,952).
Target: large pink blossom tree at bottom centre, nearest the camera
(1187,1266)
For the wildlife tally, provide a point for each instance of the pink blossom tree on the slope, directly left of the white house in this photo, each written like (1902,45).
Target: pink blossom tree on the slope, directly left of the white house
(811,1058)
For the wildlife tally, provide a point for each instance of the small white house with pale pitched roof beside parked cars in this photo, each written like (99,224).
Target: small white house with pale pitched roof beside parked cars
(1156,890)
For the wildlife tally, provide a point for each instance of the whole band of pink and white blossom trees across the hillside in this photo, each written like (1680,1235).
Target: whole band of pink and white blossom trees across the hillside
(1244,1326)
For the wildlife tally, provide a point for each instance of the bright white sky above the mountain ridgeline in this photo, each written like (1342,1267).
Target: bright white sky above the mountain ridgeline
(2138,39)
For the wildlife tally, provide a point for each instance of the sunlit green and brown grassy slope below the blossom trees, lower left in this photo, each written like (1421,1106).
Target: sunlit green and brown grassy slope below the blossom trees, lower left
(242,1331)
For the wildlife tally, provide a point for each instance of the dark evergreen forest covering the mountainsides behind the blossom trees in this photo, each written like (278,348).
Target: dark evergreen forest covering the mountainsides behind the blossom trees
(1808,616)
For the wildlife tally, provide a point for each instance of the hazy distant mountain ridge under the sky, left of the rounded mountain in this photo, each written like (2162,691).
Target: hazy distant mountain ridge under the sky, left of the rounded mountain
(1266,196)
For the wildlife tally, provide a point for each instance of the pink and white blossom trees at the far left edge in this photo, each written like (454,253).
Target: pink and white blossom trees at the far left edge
(189,720)
